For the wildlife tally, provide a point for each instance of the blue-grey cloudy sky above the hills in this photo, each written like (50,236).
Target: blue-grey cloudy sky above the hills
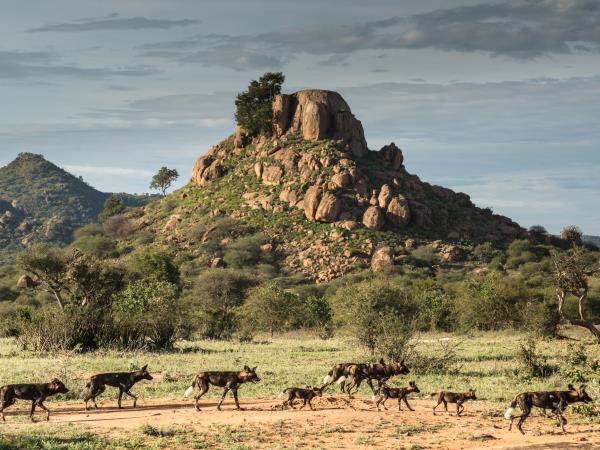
(499,99)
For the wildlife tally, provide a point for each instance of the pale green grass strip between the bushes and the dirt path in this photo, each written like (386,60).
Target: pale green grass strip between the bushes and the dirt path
(485,361)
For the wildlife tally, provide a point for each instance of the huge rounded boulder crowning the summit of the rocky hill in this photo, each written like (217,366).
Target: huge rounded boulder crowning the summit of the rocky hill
(319,114)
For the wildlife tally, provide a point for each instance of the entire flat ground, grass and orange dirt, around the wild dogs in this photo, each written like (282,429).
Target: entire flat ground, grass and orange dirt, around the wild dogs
(163,419)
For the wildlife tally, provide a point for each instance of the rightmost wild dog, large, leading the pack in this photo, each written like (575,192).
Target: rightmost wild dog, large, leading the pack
(557,401)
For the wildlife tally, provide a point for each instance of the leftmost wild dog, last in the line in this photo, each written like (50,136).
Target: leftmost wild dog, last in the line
(36,393)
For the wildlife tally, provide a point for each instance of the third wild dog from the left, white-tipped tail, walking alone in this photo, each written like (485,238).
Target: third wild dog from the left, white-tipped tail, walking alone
(230,381)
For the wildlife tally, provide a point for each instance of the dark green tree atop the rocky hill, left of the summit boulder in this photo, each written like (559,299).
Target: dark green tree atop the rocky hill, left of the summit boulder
(253,110)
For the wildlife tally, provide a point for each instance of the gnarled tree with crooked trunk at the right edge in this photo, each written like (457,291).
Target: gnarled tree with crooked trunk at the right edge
(571,272)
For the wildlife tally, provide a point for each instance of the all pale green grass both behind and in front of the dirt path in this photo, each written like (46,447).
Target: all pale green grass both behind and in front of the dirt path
(486,361)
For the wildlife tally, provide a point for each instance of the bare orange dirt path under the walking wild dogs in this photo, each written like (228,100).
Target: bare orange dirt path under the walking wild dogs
(337,423)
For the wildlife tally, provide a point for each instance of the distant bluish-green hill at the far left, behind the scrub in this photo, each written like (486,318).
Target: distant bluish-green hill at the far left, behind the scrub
(40,202)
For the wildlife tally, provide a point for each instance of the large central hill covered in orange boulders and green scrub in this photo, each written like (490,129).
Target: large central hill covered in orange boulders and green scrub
(324,203)
